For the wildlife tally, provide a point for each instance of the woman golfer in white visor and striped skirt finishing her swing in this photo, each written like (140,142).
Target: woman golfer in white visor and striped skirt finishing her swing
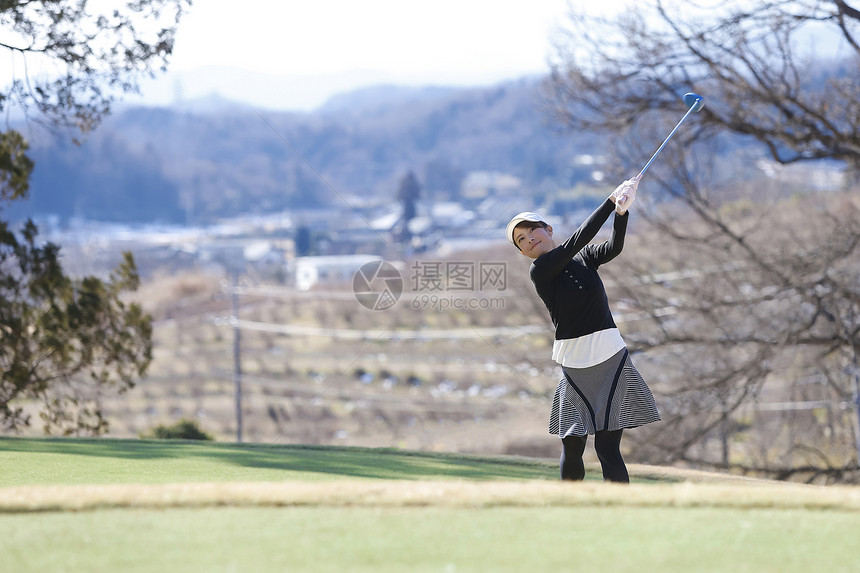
(601,392)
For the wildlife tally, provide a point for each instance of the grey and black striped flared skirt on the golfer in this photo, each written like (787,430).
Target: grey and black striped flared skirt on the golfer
(608,396)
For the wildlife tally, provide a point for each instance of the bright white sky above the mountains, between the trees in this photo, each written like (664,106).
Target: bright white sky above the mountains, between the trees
(309,50)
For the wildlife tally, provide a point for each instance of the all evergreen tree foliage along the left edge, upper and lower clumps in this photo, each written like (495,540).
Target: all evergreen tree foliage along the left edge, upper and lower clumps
(64,341)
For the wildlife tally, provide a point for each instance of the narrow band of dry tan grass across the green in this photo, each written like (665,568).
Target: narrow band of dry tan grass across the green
(715,492)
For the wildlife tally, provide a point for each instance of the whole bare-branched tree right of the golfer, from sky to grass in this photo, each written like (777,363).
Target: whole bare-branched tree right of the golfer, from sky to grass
(744,296)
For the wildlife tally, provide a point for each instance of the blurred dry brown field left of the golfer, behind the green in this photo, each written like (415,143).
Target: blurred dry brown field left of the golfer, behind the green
(476,395)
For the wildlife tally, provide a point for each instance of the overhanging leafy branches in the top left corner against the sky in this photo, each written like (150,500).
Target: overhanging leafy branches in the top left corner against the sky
(72,60)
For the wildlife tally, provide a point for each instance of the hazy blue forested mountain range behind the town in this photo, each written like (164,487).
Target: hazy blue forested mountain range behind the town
(207,160)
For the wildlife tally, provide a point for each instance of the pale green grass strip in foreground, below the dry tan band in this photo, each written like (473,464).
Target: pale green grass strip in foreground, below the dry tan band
(380,540)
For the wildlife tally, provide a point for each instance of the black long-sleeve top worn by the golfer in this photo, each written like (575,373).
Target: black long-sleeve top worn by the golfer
(566,277)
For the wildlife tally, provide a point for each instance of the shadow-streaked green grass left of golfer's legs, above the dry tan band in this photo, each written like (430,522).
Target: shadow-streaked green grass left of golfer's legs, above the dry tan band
(80,461)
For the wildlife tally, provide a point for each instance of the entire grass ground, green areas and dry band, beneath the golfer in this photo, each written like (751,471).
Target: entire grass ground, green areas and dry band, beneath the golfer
(140,506)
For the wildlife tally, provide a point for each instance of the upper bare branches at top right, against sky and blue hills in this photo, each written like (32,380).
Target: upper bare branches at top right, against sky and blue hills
(784,72)
